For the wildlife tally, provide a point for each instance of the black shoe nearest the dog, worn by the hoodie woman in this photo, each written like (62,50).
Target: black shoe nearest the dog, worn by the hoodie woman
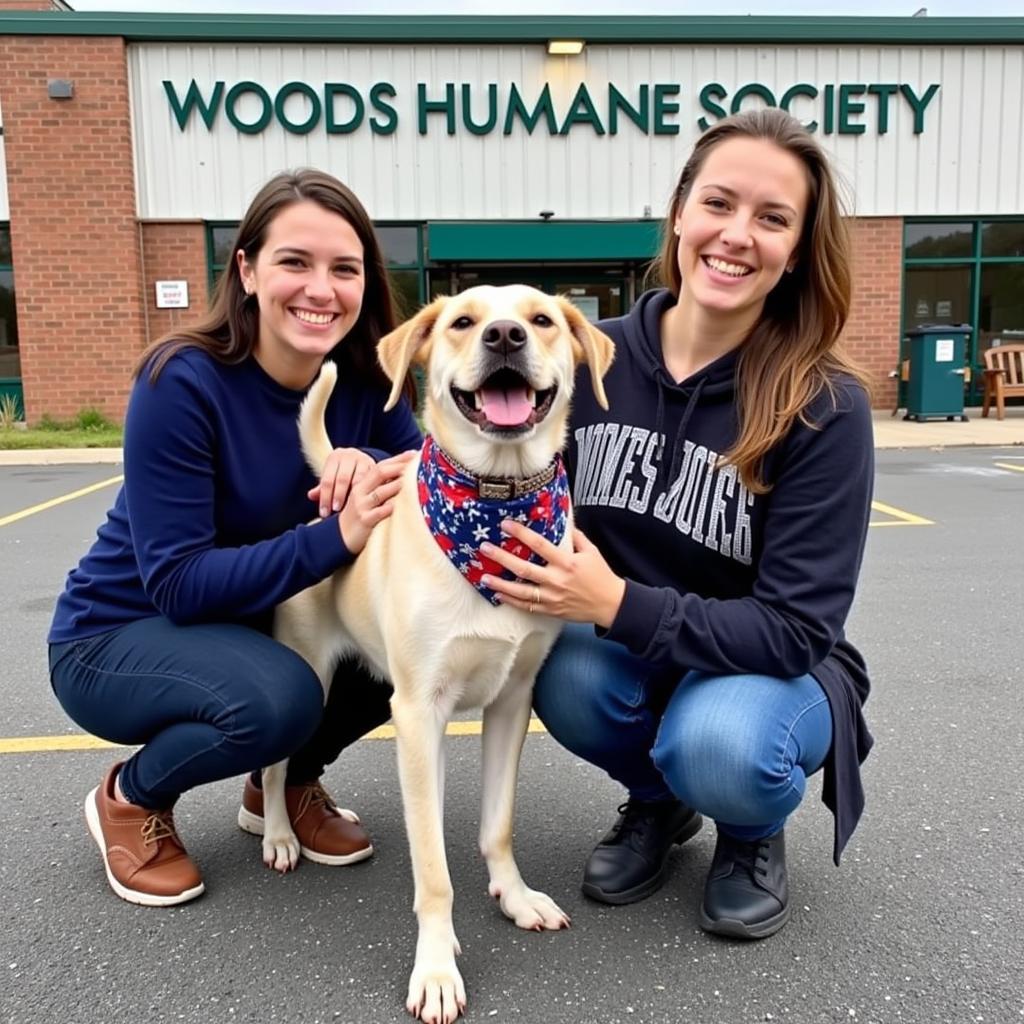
(631,862)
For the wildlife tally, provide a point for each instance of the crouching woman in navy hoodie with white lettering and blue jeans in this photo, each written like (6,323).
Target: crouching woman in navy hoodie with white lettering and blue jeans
(722,505)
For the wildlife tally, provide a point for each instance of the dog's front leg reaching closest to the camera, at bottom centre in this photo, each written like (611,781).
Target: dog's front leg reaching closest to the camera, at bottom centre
(437,992)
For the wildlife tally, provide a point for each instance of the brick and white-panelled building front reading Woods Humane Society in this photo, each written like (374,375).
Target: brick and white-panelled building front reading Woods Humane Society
(132,145)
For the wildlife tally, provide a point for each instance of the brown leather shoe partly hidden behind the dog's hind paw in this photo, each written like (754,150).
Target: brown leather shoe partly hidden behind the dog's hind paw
(327,834)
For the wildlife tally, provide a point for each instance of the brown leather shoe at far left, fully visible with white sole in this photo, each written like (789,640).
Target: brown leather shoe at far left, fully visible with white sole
(145,860)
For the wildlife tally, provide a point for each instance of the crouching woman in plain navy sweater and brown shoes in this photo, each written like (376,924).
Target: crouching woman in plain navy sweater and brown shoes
(161,637)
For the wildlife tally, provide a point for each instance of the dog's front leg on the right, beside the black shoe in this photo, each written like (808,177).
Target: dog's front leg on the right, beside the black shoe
(505,723)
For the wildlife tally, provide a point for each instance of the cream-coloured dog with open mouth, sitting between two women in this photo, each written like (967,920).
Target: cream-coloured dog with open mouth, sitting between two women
(500,368)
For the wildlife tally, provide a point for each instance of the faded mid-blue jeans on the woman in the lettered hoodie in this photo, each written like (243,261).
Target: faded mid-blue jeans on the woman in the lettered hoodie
(739,749)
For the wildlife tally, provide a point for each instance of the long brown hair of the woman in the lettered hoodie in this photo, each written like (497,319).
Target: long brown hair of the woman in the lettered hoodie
(793,355)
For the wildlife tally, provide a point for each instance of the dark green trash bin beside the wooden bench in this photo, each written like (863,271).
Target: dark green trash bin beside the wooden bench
(937,372)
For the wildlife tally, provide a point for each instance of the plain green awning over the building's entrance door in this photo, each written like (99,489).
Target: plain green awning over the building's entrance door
(508,242)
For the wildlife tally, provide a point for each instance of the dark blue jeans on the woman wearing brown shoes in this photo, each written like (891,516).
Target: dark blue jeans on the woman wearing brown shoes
(209,702)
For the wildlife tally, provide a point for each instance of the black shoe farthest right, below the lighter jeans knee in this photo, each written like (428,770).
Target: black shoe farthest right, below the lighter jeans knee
(747,895)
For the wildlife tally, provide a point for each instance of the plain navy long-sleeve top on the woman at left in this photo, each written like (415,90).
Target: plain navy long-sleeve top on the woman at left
(210,525)
